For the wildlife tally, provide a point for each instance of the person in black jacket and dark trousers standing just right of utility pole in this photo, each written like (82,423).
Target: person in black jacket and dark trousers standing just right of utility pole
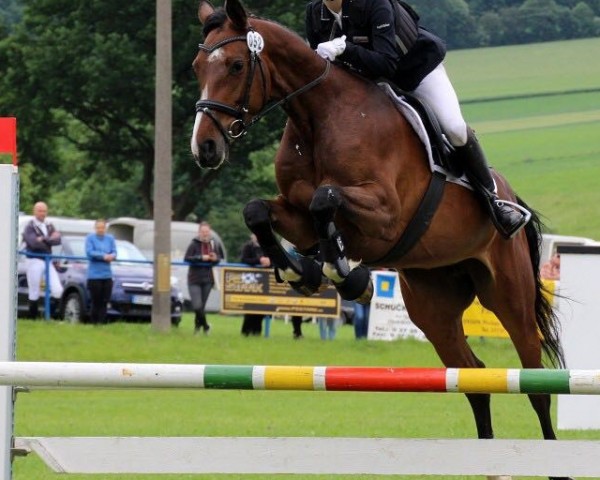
(202,254)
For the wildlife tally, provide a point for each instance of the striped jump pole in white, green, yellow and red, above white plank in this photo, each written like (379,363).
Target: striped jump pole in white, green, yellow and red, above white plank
(247,377)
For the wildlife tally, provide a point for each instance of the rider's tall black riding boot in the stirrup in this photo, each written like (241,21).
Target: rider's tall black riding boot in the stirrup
(508,218)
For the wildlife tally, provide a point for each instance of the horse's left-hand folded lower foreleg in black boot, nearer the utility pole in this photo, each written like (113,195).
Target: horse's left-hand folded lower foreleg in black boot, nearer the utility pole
(305,272)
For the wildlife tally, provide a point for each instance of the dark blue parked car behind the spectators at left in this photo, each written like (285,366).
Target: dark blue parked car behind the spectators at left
(131,297)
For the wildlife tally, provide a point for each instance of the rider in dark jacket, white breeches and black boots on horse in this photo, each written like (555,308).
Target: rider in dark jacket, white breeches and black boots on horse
(367,37)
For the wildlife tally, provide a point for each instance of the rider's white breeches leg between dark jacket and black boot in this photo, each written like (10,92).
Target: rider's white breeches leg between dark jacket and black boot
(438,94)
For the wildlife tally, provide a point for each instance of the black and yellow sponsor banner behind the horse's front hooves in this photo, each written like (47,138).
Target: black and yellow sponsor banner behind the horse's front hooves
(255,290)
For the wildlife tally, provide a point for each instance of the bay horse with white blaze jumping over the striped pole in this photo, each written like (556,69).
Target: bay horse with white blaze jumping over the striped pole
(351,174)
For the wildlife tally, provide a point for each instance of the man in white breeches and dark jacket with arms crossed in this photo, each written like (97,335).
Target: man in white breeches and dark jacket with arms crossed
(39,236)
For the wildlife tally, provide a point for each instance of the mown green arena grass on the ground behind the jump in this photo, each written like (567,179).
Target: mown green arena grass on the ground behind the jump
(246,413)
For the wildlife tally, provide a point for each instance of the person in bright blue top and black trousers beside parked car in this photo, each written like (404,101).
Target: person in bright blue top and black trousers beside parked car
(101,250)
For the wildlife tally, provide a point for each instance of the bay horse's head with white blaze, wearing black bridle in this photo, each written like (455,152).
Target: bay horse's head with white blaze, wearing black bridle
(232,81)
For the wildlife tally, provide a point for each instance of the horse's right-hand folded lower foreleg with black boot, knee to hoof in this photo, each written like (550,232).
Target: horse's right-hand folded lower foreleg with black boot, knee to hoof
(353,282)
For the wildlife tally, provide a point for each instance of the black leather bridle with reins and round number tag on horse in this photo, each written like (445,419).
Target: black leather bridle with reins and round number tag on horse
(238,127)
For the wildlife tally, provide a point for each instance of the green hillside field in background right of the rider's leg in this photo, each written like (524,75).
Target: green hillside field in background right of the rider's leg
(536,109)
